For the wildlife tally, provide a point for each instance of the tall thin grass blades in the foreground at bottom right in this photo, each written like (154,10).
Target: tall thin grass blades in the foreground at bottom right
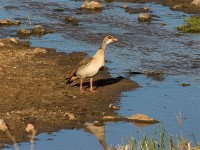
(162,142)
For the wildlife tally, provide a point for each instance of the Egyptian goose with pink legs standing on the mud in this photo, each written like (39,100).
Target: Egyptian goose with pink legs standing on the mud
(88,67)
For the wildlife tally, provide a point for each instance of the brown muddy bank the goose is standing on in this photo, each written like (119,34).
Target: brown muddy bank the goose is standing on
(33,90)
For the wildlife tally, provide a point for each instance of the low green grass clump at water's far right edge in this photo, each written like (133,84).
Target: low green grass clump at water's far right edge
(192,25)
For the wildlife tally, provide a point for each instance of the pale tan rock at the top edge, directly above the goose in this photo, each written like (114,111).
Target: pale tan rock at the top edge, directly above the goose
(93,5)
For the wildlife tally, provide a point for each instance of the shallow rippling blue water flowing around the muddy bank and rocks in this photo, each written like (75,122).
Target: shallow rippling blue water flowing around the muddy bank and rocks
(142,46)
